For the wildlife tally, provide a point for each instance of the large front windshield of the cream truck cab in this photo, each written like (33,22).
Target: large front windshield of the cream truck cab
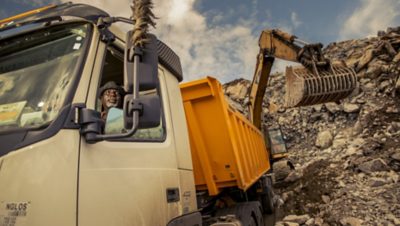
(36,72)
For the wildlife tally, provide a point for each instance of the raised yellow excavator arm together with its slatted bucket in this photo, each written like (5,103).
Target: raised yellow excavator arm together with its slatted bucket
(317,81)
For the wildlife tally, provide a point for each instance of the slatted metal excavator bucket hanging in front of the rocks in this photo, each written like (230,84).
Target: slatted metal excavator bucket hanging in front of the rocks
(307,87)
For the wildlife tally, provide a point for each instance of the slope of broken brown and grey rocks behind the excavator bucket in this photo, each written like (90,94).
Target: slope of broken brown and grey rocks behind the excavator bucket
(347,155)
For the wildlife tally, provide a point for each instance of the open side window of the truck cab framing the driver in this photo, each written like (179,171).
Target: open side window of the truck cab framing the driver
(111,96)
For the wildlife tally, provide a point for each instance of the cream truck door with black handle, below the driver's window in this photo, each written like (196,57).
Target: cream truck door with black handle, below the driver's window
(133,181)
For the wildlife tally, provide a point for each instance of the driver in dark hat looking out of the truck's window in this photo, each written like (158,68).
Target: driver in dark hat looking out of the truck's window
(111,96)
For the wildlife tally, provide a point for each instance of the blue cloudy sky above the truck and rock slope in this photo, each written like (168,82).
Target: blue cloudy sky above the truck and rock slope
(219,38)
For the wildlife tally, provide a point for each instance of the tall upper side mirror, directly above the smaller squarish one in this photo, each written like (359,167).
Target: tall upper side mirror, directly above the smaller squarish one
(147,70)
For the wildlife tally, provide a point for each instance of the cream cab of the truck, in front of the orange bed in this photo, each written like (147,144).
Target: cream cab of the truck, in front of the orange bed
(52,65)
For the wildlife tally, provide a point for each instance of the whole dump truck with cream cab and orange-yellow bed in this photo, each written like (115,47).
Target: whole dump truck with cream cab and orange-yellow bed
(175,154)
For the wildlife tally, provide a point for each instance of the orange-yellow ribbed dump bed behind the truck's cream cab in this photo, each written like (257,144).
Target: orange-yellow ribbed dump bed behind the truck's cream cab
(227,150)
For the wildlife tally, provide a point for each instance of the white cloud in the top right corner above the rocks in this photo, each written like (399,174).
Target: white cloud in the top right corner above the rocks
(370,17)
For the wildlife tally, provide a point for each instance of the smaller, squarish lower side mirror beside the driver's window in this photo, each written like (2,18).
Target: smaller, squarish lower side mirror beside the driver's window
(149,107)
